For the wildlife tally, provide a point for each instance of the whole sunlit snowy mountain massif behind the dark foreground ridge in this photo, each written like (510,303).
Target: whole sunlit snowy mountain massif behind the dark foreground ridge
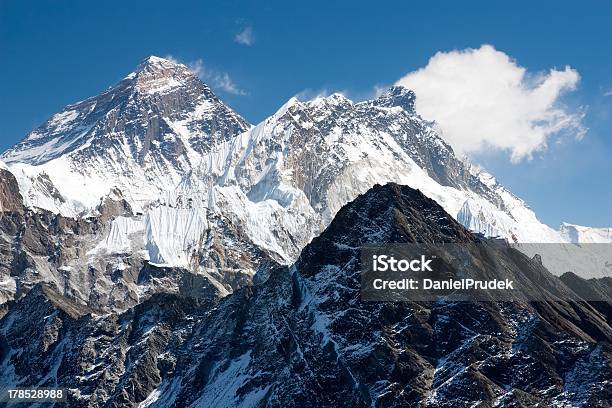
(167,173)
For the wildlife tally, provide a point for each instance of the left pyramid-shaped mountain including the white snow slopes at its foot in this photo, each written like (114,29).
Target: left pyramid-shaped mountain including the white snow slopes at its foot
(140,137)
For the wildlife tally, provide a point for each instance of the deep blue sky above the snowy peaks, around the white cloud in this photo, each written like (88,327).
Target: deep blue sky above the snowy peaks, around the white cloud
(258,54)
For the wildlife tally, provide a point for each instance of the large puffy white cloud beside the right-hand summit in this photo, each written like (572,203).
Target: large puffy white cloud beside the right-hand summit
(482,99)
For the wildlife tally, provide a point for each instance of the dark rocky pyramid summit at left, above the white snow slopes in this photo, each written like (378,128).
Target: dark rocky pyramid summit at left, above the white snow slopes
(159,104)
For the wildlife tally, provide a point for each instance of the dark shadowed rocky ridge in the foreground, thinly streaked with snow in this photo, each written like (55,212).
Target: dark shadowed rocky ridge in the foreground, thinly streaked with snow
(303,337)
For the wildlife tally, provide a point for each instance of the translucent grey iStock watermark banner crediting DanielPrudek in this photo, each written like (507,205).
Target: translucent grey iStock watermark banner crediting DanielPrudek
(489,270)
